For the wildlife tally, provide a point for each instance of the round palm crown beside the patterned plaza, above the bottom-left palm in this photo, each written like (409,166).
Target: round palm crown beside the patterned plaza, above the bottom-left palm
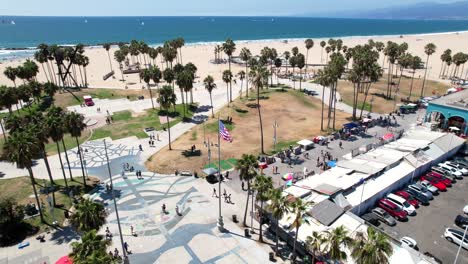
(88,215)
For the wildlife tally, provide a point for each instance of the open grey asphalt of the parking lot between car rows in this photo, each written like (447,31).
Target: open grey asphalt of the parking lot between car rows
(428,226)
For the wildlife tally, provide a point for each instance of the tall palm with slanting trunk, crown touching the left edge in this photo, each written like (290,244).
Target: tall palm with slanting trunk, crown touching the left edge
(22,147)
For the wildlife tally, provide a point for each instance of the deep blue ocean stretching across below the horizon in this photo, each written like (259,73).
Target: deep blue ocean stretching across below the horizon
(28,32)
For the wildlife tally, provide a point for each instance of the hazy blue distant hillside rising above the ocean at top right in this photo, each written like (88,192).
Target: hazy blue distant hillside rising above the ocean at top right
(428,10)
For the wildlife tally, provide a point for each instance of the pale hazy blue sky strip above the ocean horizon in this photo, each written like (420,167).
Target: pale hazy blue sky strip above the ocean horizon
(190,7)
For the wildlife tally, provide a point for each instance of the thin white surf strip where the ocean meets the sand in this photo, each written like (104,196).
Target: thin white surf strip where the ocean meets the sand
(245,41)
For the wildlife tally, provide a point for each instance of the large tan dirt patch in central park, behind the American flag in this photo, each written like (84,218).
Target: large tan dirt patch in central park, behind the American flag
(298,117)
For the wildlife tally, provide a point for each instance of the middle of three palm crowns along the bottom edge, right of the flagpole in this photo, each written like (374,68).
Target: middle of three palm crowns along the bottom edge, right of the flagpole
(334,240)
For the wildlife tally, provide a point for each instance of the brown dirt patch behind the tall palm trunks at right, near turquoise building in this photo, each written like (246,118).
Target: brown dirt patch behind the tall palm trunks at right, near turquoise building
(383,106)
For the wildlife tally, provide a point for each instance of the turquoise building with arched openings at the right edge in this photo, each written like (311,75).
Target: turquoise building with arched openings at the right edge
(450,111)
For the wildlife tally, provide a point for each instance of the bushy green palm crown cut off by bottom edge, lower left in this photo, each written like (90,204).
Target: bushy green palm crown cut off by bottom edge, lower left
(91,248)
